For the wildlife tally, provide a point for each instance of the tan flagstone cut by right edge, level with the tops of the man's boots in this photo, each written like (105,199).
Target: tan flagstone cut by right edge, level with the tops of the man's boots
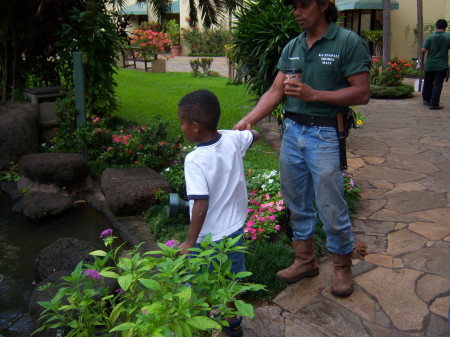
(432,260)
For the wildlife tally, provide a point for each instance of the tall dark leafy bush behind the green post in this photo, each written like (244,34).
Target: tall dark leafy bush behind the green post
(92,31)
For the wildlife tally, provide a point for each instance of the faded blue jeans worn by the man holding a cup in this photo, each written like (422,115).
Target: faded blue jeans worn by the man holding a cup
(310,168)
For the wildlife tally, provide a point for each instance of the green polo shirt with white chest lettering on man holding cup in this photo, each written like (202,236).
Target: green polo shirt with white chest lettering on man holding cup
(338,54)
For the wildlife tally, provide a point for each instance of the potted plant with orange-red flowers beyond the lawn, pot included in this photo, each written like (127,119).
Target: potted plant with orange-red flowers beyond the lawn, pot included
(149,45)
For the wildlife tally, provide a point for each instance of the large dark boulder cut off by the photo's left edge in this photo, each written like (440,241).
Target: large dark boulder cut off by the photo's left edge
(19,131)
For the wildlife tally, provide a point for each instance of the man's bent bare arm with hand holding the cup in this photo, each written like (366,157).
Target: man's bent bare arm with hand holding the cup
(357,93)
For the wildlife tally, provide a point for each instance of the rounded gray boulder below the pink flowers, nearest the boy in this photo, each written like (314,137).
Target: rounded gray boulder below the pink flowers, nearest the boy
(131,191)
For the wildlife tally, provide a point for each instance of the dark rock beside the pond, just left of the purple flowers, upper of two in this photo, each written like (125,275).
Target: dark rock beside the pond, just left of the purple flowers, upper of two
(64,254)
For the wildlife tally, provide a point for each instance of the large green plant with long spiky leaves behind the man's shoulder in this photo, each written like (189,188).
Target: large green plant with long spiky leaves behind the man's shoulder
(262,30)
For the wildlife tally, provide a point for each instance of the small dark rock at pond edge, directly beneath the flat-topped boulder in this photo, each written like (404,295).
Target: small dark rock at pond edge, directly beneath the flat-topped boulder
(37,205)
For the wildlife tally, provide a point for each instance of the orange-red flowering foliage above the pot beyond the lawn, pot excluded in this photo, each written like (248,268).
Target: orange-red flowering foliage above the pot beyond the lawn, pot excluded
(151,43)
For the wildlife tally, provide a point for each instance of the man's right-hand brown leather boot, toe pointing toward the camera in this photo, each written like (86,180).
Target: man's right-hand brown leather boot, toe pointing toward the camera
(342,284)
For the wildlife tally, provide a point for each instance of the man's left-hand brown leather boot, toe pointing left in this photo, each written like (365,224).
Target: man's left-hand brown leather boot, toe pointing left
(304,265)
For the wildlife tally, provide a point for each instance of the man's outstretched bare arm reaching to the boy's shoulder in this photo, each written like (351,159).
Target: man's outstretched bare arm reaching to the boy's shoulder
(267,103)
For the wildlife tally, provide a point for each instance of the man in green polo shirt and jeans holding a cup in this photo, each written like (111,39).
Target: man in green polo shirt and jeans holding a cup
(335,65)
